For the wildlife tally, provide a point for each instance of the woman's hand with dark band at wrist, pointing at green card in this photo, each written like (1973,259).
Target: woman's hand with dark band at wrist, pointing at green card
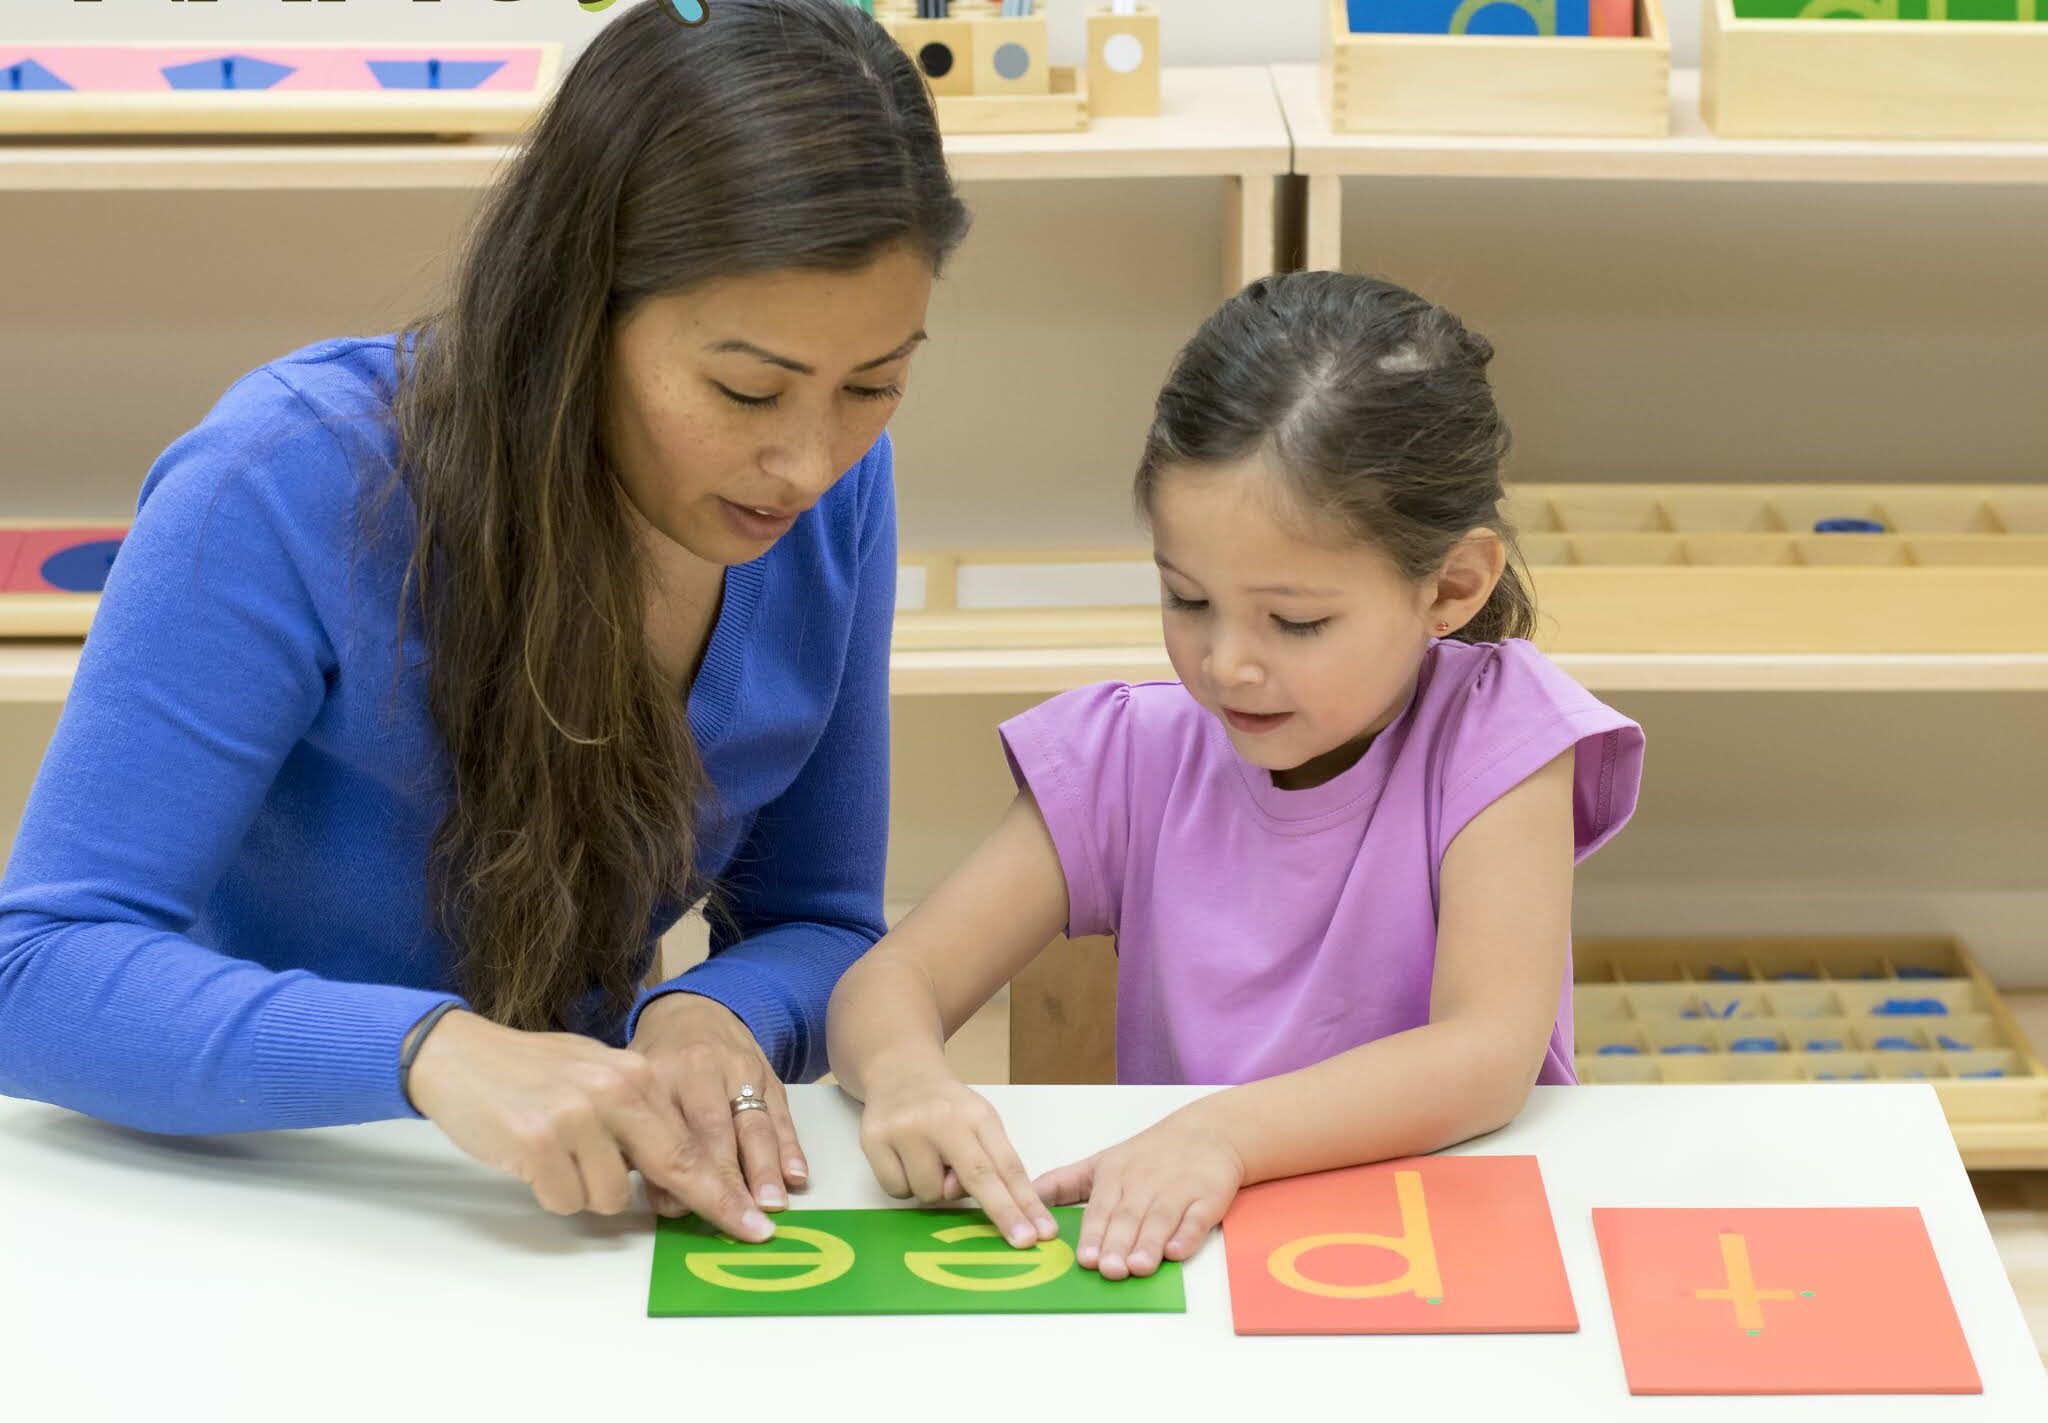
(572,1117)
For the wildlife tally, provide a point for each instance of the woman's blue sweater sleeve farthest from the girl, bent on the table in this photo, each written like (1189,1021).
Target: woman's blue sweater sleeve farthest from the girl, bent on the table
(208,662)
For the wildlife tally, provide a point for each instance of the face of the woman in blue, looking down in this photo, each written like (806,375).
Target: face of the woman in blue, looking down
(738,402)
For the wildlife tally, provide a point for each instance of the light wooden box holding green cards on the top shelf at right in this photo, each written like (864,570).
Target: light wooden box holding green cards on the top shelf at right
(1873,79)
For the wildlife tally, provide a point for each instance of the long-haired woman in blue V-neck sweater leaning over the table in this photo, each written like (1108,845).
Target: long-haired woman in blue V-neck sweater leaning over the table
(441,673)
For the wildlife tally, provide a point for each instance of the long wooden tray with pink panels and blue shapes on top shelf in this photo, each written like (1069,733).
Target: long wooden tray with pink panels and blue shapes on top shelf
(259,89)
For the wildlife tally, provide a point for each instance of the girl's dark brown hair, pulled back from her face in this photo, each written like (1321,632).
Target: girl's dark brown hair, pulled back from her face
(1371,400)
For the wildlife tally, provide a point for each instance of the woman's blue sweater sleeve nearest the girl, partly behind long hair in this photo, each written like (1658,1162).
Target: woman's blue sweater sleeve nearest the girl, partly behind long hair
(812,898)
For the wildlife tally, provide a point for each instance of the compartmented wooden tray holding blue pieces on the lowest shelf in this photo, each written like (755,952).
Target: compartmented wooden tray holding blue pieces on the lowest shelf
(1762,1010)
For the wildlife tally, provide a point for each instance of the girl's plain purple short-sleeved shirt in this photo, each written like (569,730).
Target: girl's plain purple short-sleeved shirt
(1261,931)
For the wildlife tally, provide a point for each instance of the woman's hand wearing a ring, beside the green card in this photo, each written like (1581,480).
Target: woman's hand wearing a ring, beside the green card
(703,1055)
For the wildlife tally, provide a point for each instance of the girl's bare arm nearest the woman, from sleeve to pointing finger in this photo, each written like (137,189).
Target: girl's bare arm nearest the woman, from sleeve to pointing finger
(894,1010)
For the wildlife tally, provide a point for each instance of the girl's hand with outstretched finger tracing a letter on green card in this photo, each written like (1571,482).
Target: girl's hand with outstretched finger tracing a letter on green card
(933,1137)
